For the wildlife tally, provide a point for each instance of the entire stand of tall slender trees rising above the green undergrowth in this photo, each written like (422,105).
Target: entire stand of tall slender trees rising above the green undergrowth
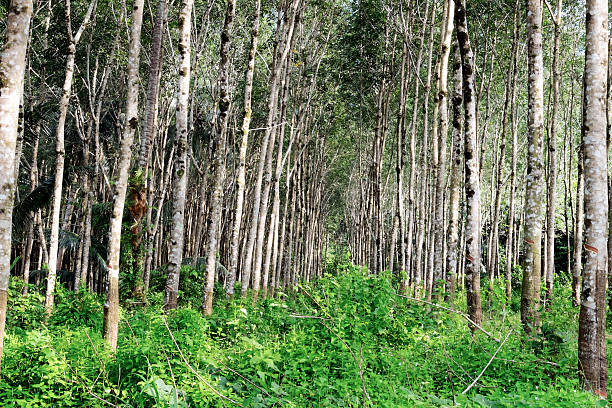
(267,137)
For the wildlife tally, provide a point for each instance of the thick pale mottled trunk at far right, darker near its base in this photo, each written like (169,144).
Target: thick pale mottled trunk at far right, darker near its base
(592,361)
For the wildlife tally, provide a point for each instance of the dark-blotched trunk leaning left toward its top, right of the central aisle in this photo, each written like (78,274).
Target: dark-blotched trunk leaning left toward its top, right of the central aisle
(472,177)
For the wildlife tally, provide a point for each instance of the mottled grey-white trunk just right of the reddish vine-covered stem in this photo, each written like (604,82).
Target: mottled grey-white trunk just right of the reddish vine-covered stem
(181,166)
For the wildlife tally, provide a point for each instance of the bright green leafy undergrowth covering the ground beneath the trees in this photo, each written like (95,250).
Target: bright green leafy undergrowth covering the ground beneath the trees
(347,341)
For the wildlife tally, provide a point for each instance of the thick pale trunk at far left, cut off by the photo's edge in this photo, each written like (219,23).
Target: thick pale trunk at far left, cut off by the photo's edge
(12,70)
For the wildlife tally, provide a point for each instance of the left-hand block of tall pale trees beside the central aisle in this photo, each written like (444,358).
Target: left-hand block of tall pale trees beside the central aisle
(120,212)
